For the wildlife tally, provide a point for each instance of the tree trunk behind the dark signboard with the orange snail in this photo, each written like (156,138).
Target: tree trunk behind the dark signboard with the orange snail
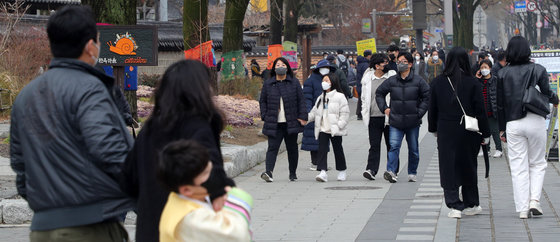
(118,12)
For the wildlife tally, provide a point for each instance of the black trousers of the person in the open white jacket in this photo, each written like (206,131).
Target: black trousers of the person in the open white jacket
(376,129)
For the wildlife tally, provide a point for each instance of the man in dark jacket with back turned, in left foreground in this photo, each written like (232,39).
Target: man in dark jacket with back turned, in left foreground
(68,139)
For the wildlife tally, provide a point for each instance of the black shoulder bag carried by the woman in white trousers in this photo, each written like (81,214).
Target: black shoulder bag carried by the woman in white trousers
(533,100)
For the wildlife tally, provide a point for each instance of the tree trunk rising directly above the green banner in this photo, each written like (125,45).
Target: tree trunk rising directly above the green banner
(233,25)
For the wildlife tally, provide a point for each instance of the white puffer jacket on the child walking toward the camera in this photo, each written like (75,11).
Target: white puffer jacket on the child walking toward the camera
(338,113)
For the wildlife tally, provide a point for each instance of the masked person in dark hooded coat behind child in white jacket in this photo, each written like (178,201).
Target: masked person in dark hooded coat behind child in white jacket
(312,89)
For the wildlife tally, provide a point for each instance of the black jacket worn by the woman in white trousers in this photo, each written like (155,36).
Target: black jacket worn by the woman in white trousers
(512,82)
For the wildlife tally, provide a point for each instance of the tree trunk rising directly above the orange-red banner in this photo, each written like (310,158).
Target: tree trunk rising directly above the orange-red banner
(195,23)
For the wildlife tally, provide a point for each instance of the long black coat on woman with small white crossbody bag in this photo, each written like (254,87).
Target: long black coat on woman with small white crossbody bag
(457,147)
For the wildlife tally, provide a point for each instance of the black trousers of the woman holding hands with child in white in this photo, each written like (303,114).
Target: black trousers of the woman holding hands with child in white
(274,143)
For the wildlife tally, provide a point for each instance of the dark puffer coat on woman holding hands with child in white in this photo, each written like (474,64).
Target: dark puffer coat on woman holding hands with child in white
(294,105)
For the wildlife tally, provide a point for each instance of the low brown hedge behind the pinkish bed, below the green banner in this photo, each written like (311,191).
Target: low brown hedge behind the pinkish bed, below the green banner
(245,87)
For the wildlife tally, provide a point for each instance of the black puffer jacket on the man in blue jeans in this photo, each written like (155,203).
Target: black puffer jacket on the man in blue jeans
(409,100)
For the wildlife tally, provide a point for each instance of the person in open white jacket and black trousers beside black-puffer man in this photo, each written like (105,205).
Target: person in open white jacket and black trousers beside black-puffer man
(374,118)
